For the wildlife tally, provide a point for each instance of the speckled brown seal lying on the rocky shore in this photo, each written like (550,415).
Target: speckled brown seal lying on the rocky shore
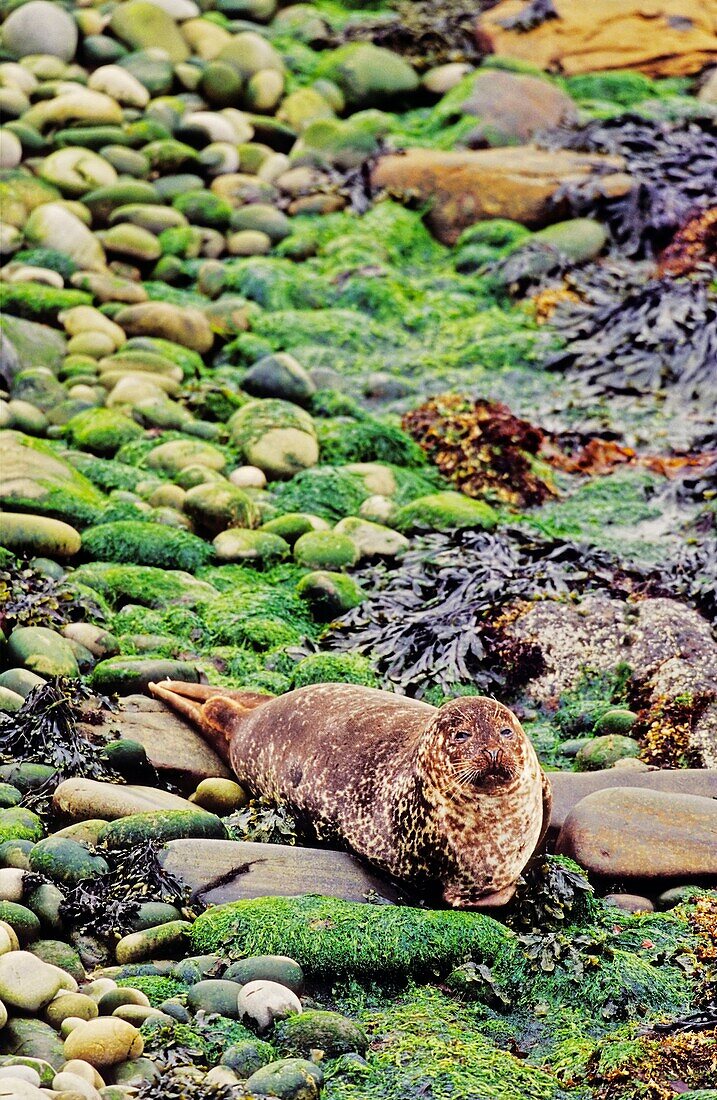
(448,799)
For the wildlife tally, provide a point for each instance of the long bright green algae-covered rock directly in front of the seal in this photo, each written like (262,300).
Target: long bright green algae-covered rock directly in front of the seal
(327,937)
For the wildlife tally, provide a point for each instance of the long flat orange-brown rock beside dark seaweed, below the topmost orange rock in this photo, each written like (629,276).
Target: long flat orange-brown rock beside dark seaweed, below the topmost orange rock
(521,182)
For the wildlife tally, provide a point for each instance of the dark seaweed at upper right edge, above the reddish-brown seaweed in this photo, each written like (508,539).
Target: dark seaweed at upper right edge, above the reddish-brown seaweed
(674,166)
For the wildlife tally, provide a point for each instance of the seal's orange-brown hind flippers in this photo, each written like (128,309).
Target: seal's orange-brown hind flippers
(216,711)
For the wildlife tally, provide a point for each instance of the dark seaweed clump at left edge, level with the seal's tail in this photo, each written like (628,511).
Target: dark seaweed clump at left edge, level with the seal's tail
(45,731)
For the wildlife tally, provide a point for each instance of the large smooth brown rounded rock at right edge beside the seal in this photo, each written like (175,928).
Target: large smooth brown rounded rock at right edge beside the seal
(632,835)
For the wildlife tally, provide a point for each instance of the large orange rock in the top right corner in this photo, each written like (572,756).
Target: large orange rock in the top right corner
(659,38)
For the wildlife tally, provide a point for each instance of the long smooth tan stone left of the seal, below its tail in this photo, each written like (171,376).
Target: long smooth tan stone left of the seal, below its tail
(86,799)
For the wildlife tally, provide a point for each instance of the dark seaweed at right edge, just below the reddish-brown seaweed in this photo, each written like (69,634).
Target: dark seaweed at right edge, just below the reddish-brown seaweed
(642,339)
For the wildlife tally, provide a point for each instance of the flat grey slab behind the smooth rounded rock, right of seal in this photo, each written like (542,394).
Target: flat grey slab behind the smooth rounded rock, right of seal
(571,787)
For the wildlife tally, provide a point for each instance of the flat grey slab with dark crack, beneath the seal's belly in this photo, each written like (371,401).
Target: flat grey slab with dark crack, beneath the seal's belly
(218,872)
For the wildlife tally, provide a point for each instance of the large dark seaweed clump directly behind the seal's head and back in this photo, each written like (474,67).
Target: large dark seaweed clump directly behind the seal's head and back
(435,620)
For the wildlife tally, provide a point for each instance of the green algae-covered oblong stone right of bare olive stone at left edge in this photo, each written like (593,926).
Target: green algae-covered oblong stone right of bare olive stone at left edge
(146,544)
